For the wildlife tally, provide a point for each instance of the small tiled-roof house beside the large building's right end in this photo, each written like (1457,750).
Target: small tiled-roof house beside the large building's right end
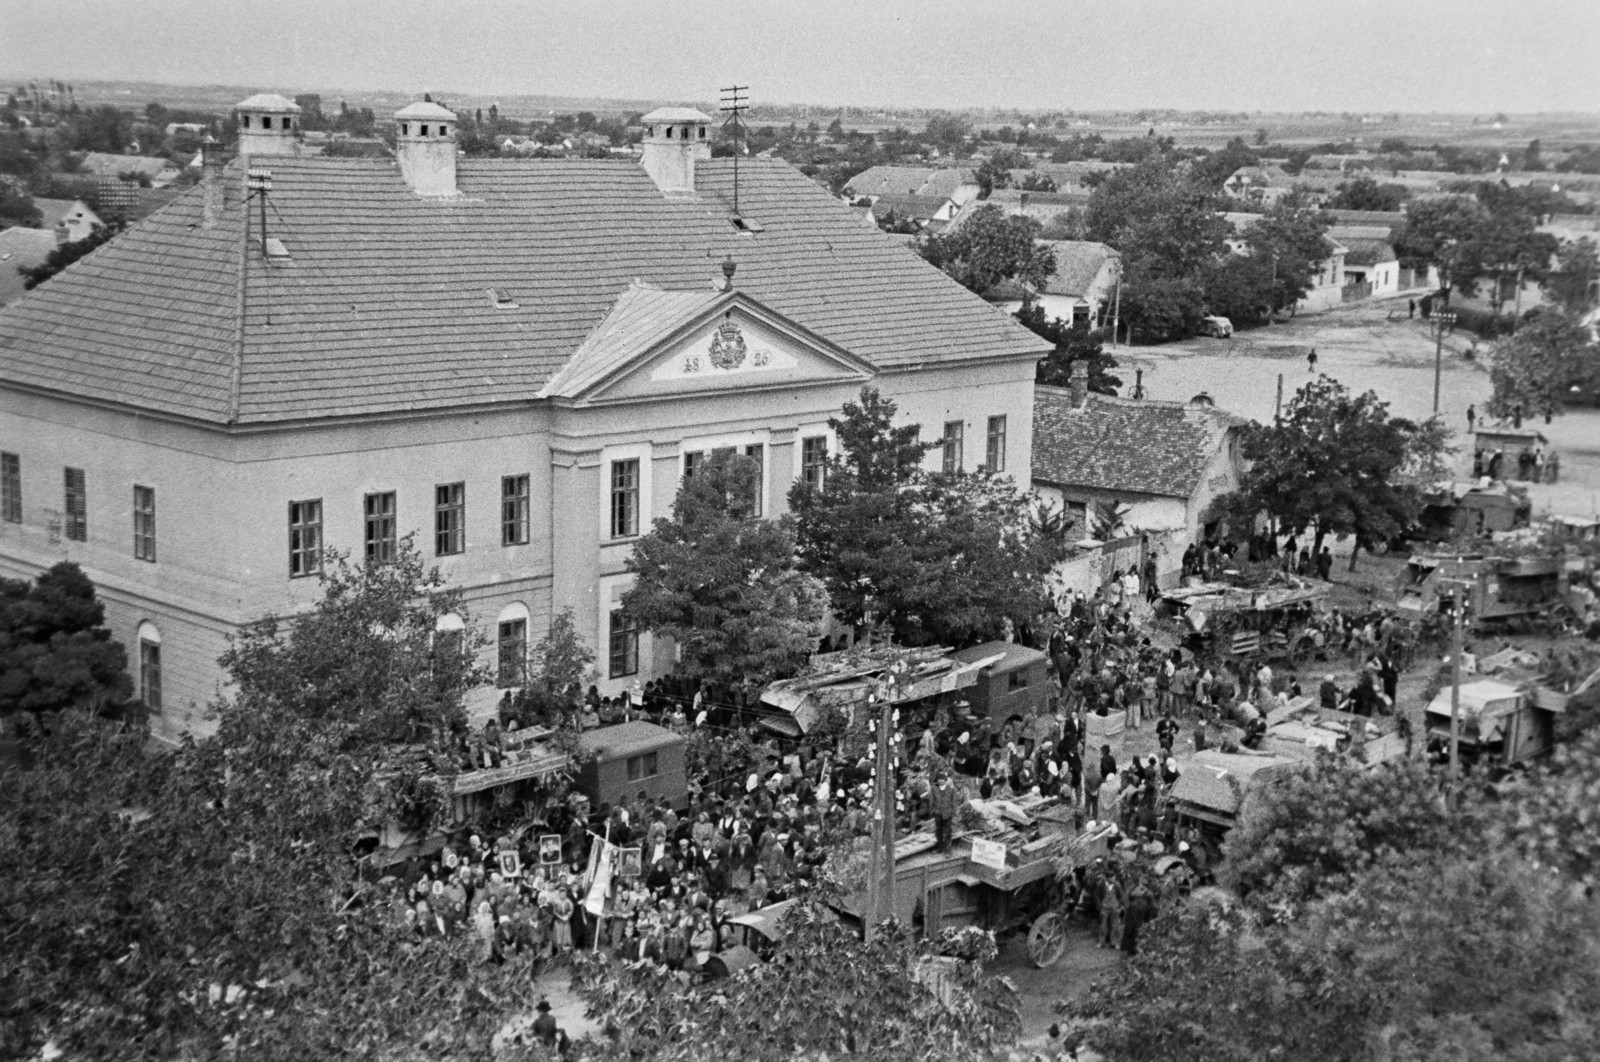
(1166,461)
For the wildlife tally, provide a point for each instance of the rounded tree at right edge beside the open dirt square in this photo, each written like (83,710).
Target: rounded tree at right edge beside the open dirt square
(1535,369)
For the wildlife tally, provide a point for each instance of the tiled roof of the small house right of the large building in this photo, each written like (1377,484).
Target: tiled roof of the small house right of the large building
(1126,445)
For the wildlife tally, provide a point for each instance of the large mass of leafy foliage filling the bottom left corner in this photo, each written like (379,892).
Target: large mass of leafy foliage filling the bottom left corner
(204,903)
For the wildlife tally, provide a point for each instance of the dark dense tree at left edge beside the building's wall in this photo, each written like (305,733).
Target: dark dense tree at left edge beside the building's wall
(55,650)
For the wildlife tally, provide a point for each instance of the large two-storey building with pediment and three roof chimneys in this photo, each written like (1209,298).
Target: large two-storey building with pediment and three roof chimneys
(513,359)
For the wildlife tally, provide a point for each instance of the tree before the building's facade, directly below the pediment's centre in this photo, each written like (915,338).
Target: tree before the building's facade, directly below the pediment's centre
(724,585)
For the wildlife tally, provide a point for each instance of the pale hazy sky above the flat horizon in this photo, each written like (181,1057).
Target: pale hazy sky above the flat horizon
(1478,57)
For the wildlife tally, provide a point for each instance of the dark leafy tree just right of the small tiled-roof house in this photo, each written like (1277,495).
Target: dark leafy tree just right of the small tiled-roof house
(1332,465)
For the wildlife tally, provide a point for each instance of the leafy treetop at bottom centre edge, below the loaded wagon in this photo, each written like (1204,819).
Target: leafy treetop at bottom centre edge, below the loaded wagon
(823,994)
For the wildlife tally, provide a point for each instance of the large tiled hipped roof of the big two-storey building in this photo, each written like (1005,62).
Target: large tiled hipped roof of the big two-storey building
(382,305)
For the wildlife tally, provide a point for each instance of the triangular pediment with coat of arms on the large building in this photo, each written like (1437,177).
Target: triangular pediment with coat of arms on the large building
(665,345)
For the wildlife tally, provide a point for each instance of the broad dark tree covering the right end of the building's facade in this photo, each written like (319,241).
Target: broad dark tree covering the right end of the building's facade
(935,559)
